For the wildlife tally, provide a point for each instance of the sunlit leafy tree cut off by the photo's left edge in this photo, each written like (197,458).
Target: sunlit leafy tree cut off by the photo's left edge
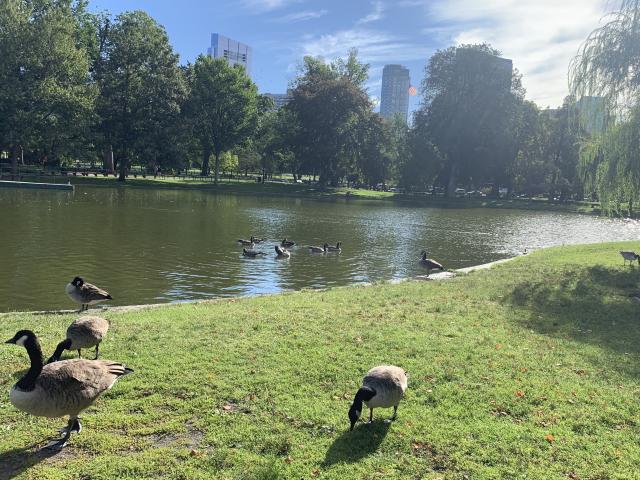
(45,97)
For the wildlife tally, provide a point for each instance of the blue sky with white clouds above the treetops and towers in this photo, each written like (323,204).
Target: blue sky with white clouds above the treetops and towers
(540,36)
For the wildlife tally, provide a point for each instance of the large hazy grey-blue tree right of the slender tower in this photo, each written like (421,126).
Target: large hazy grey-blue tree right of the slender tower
(470,97)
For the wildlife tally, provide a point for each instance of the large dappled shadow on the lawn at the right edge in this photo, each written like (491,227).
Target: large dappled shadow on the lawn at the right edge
(593,305)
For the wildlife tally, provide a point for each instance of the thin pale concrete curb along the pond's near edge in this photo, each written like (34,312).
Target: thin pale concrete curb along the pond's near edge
(440,276)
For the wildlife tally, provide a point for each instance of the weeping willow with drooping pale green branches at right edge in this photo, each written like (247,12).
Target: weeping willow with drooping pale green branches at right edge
(608,67)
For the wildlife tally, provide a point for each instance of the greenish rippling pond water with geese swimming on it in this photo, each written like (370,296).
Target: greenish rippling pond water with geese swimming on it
(150,246)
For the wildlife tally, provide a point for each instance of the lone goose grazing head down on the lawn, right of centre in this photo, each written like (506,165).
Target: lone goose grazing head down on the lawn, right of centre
(383,387)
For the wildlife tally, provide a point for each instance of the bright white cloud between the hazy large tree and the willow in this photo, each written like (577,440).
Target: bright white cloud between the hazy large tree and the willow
(540,37)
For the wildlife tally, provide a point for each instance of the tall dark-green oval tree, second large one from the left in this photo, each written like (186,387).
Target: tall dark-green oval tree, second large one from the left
(141,88)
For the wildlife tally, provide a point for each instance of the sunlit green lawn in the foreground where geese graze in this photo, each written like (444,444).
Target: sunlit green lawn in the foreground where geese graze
(529,370)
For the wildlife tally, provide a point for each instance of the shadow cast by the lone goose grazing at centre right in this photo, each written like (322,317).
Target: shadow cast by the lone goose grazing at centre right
(354,445)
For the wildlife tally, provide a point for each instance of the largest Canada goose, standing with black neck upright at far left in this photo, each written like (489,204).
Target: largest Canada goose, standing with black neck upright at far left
(61,388)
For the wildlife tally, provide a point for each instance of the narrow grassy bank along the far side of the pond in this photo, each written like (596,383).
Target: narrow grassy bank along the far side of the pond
(251,187)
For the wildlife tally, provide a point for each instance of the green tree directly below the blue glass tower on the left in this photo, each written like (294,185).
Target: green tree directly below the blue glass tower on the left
(222,108)
